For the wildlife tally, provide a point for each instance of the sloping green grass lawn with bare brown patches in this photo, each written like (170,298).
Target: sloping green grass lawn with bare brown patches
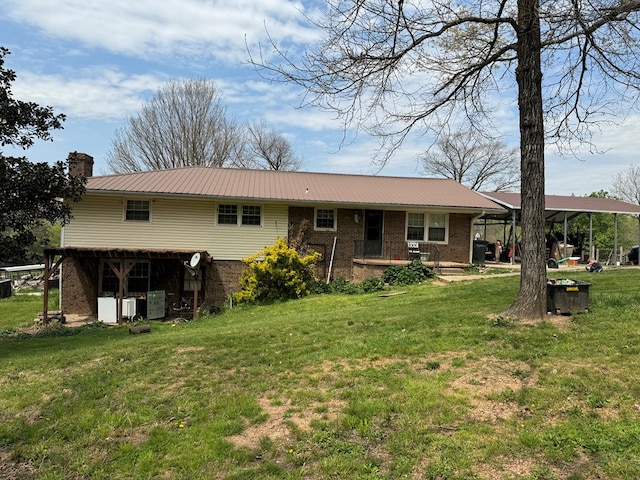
(427,384)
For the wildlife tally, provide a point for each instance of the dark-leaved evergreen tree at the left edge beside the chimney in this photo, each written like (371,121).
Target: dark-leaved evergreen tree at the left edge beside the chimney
(31,194)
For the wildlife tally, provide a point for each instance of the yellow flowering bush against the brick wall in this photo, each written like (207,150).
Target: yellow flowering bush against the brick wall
(276,273)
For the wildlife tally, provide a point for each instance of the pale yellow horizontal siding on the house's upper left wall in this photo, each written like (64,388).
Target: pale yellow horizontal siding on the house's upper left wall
(176,224)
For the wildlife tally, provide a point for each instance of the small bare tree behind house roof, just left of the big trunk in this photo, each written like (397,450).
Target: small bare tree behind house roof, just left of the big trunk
(470,158)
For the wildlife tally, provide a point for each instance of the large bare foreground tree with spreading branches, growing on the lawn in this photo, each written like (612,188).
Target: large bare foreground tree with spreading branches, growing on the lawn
(393,66)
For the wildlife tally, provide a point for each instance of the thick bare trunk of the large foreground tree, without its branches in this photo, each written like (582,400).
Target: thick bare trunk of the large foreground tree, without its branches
(532,299)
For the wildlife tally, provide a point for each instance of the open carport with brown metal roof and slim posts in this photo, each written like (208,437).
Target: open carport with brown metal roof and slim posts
(559,210)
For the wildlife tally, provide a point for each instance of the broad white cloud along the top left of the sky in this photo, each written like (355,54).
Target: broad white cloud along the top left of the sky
(151,29)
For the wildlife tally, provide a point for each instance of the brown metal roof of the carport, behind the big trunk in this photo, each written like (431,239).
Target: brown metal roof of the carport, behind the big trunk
(556,205)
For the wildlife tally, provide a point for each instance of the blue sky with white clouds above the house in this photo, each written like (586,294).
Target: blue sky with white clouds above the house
(98,61)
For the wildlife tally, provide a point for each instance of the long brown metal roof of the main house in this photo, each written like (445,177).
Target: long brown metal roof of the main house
(295,187)
